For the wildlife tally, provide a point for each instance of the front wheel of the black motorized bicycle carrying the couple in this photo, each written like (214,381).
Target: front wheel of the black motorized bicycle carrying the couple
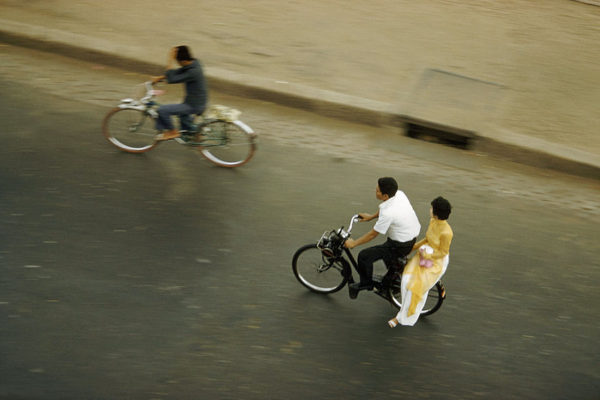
(318,272)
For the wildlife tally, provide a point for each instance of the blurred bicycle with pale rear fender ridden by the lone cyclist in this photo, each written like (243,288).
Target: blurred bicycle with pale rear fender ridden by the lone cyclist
(218,133)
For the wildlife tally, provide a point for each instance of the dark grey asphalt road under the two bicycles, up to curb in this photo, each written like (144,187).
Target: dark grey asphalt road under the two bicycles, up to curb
(160,276)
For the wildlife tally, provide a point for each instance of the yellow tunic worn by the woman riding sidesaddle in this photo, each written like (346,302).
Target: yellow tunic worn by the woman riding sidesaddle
(438,236)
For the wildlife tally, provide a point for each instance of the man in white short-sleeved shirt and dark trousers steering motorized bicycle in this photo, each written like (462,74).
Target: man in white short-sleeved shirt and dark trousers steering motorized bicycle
(397,220)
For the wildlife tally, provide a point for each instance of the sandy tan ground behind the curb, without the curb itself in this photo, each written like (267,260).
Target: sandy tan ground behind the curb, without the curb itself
(545,54)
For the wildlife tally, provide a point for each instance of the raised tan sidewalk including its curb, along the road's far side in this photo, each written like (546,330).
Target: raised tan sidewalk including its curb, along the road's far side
(522,76)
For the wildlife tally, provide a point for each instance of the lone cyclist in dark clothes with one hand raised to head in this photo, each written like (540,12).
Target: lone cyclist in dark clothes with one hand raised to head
(190,73)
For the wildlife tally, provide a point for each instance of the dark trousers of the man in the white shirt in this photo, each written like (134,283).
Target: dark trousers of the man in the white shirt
(389,252)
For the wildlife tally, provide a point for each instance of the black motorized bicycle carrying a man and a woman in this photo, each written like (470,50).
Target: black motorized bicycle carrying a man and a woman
(324,267)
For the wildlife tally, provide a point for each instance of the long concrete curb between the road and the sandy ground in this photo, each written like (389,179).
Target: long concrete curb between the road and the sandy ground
(508,145)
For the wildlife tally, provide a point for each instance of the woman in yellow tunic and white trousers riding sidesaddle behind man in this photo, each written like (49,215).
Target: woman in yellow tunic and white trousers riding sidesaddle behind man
(427,266)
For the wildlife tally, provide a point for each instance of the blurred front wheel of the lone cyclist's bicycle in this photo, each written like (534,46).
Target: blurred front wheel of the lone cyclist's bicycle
(130,130)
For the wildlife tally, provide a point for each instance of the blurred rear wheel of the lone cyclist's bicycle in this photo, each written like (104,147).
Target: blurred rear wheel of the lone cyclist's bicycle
(227,144)
